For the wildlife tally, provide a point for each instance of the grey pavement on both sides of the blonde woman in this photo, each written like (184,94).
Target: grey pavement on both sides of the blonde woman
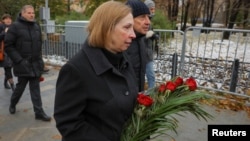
(22,126)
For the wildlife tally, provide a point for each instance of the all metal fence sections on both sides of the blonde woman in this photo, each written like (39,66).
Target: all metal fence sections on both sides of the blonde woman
(216,64)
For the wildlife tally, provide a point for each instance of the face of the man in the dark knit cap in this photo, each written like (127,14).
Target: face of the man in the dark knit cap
(141,24)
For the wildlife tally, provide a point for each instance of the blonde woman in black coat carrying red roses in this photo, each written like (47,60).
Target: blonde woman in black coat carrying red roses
(96,90)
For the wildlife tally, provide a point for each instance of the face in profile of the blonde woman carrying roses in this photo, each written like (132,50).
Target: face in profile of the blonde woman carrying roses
(122,35)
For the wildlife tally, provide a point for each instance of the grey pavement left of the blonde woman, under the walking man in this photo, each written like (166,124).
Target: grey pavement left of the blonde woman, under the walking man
(22,126)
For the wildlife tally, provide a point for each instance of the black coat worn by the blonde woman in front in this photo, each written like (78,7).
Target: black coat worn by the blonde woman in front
(93,99)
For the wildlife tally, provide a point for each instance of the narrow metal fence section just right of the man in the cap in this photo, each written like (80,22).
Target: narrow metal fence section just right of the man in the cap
(166,53)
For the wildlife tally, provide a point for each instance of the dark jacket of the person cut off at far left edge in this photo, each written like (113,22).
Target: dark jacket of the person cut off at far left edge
(7,61)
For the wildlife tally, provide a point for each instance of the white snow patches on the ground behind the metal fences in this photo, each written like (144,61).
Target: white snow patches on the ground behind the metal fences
(204,46)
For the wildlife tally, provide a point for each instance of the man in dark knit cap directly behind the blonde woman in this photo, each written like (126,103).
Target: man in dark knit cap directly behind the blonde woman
(137,50)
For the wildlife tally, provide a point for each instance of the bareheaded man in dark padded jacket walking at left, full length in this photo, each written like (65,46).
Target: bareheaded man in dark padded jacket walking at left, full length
(23,44)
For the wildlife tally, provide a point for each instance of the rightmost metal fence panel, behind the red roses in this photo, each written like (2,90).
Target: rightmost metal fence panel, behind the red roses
(219,64)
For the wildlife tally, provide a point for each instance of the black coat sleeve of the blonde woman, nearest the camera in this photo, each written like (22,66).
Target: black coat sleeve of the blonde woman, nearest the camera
(70,102)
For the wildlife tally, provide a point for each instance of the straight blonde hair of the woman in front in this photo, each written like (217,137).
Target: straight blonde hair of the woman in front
(103,21)
